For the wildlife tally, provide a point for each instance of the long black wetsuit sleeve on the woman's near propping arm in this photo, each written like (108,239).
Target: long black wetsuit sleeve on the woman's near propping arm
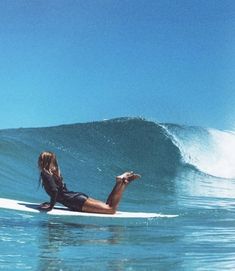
(50,187)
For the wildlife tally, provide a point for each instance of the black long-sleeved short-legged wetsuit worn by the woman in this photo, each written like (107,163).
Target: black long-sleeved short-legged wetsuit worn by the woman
(56,189)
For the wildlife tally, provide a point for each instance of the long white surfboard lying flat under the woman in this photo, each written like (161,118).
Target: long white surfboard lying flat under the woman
(63,211)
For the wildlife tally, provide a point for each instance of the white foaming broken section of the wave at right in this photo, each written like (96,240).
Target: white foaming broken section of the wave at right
(209,150)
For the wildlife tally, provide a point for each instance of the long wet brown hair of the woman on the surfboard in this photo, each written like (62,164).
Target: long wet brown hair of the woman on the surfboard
(47,161)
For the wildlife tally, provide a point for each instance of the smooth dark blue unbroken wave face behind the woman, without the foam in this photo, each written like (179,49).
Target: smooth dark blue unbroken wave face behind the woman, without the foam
(90,154)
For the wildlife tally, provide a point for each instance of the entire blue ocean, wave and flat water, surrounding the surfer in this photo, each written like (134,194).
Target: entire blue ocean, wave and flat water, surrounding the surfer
(186,171)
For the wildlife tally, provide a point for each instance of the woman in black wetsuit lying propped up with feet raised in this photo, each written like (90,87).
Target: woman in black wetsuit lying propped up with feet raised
(52,182)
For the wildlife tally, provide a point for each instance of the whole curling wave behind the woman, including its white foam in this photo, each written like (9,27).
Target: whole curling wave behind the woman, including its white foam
(91,154)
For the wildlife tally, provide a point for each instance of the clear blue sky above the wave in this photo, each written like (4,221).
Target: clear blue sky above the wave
(64,61)
